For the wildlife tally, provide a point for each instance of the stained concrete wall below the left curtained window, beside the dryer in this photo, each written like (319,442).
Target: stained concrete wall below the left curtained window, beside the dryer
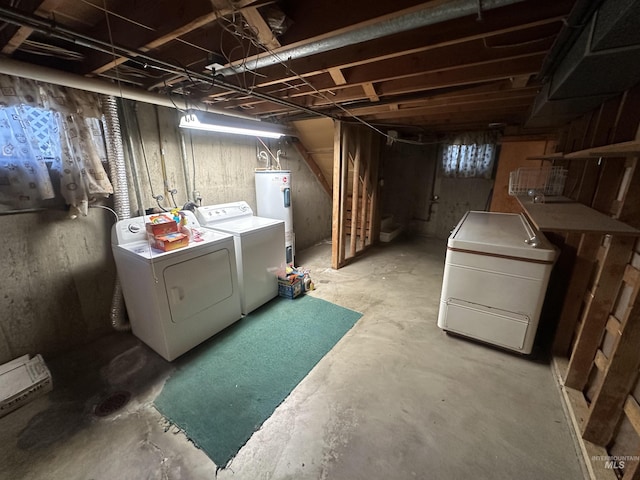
(57,281)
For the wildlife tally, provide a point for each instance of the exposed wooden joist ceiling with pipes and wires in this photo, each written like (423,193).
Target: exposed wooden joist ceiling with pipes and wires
(416,74)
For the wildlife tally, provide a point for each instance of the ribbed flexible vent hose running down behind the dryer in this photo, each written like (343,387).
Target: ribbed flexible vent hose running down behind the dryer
(118,173)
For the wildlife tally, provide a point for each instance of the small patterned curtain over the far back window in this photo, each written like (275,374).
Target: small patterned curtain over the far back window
(470,155)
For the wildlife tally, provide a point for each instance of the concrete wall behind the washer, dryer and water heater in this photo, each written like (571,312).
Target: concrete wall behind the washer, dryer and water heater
(220,169)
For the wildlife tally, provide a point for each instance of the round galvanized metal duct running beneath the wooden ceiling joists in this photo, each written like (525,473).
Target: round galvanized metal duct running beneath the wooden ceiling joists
(429,15)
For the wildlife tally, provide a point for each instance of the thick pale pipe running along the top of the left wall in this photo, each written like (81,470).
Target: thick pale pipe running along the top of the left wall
(58,77)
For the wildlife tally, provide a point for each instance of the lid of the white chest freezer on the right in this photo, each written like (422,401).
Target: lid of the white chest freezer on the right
(501,234)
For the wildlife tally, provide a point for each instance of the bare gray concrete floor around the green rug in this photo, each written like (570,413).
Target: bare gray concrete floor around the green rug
(396,398)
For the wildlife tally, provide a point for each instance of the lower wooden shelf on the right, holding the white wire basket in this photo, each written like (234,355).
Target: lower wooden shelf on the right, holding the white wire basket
(561,214)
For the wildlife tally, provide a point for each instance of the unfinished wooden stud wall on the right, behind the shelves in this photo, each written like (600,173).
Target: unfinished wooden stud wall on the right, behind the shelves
(597,342)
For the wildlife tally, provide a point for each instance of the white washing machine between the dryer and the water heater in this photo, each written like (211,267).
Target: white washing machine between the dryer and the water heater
(259,246)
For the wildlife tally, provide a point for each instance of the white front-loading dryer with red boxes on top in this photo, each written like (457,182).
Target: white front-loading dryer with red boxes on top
(177,299)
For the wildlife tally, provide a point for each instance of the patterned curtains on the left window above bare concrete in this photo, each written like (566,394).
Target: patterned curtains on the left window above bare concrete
(44,124)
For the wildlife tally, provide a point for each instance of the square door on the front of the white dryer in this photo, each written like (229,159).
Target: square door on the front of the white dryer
(198,284)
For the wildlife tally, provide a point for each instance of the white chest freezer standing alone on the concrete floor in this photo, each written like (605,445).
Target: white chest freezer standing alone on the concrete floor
(497,268)
